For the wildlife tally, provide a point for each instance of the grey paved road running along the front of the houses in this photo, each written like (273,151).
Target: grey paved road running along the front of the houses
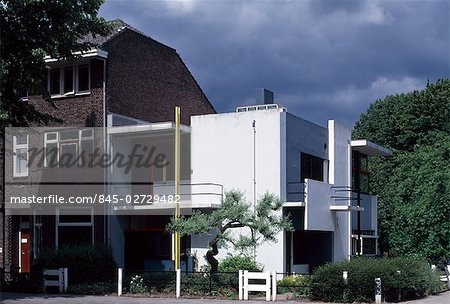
(15,298)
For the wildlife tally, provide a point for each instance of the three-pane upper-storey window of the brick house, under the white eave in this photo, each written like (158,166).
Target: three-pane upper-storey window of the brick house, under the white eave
(69,80)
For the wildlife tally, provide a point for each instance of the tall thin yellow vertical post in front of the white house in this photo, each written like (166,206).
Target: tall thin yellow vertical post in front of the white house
(177,242)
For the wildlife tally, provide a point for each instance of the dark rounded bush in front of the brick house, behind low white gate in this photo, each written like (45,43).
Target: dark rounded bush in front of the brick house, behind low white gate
(86,264)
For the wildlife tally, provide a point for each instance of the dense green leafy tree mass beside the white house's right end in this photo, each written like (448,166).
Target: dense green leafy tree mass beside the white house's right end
(413,185)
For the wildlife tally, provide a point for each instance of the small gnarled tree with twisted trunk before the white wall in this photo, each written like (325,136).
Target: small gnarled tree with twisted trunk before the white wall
(263,224)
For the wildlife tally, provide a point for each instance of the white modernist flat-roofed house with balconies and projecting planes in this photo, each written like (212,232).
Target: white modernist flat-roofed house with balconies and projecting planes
(319,172)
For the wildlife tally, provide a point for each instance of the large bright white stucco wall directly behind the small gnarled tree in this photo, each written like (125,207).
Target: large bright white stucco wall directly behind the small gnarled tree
(222,152)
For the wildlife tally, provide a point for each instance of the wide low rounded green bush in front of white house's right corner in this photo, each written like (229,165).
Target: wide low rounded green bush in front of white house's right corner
(408,277)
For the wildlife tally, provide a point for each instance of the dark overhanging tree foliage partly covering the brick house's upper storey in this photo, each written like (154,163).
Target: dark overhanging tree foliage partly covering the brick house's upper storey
(30,30)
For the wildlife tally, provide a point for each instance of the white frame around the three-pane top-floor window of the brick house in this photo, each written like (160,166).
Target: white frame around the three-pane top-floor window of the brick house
(75,76)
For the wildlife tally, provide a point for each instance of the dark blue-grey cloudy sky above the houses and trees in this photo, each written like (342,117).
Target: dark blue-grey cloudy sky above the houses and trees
(322,59)
